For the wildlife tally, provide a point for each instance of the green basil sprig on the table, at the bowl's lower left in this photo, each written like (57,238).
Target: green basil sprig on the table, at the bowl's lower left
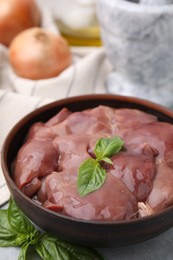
(17,230)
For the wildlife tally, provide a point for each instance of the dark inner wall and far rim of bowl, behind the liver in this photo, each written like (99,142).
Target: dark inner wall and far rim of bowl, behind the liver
(18,133)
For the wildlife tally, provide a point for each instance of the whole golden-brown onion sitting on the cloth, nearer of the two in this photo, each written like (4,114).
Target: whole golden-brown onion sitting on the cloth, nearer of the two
(39,54)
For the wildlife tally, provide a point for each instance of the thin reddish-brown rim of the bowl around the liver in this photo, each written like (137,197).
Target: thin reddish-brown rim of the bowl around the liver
(35,112)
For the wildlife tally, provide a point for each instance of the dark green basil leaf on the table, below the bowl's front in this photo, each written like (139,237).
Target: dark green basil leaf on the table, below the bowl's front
(50,247)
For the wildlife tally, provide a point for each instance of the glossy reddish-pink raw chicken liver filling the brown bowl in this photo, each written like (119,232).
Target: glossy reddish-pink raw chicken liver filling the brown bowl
(47,164)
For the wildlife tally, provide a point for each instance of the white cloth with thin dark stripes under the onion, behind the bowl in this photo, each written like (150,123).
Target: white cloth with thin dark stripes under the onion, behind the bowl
(19,96)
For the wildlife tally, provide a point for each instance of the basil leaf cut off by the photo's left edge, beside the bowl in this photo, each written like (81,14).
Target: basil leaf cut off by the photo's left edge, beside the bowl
(7,236)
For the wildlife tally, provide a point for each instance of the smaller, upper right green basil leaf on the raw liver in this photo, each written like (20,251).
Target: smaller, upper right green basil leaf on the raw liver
(107,147)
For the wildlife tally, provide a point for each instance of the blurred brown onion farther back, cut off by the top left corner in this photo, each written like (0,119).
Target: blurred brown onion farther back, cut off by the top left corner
(16,16)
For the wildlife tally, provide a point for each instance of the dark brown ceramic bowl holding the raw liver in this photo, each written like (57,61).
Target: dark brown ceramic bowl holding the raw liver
(89,233)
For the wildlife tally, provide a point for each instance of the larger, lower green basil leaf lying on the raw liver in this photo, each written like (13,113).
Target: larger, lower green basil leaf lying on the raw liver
(91,177)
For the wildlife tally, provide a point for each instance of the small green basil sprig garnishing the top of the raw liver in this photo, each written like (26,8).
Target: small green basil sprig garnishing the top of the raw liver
(92,175)
